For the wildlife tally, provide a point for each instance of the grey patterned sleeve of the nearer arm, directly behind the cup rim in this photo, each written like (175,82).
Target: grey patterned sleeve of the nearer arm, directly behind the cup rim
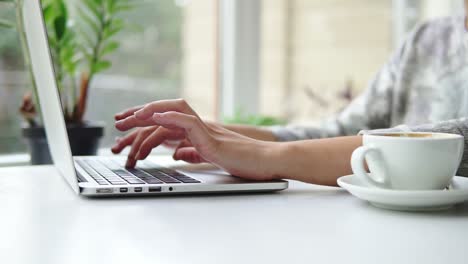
(455,126)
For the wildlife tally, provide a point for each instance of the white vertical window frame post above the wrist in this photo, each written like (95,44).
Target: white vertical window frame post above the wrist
(239,61)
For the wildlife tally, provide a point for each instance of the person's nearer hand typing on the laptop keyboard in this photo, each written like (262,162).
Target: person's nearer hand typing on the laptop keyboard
(162,121)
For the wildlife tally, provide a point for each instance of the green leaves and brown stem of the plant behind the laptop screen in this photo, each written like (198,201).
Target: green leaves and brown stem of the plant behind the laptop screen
(80,45)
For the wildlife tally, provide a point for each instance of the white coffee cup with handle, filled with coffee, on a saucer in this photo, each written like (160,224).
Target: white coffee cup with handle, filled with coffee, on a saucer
(409,160)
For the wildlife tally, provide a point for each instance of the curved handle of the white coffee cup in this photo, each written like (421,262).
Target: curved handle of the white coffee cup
(357,164)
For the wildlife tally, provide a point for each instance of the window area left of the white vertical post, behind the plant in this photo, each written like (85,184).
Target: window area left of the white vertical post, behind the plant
(169,53)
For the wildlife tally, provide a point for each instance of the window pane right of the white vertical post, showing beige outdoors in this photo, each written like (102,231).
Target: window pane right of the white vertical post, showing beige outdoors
(316,56)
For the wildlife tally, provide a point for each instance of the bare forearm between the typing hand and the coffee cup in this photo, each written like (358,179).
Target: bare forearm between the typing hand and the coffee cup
(319,161)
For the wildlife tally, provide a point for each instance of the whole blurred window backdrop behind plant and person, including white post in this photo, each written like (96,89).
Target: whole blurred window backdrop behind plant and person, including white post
(295,60)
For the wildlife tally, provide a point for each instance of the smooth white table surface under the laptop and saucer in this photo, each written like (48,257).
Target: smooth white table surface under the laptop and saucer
(43,221)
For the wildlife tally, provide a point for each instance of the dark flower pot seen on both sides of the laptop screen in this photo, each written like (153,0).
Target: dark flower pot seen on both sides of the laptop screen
(84,141)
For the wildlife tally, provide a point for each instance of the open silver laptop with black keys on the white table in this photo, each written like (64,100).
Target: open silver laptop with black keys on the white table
(107,176)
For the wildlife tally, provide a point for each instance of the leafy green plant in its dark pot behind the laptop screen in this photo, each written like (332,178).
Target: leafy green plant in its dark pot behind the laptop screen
(80,46)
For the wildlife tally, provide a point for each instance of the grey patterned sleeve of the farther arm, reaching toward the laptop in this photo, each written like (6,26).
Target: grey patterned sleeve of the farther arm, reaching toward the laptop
(371,110)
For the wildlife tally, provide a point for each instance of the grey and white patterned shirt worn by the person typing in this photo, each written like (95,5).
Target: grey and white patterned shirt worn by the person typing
(423,87)
